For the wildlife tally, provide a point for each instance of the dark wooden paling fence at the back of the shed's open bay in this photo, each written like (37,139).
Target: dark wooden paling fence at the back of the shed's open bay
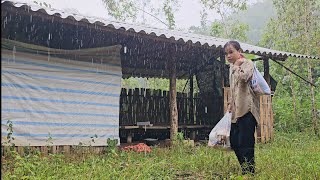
(153,105)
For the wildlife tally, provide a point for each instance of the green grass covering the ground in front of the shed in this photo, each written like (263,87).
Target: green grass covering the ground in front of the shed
(289,156)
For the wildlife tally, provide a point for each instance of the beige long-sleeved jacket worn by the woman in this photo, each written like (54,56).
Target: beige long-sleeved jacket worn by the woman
(242,98)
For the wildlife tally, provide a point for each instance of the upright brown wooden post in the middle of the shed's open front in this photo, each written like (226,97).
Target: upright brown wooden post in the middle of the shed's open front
(173,113)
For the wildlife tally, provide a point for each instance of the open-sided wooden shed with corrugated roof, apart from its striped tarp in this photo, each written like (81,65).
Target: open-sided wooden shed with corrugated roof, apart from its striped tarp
(144,52)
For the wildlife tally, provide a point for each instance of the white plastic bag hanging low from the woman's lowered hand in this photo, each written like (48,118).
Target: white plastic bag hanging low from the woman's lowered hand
(220,134)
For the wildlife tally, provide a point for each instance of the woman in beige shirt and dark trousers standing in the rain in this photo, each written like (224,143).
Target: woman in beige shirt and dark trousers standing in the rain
(243,105)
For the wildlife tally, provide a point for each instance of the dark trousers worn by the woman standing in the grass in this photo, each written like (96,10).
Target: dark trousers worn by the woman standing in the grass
(242,141)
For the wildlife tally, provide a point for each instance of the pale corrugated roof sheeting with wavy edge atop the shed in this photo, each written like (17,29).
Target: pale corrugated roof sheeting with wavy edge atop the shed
(176,35)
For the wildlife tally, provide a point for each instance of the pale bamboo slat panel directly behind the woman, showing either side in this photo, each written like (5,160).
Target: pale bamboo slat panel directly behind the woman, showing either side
(264,131)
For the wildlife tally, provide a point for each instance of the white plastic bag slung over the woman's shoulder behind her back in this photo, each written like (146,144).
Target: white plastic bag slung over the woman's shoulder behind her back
(259,84)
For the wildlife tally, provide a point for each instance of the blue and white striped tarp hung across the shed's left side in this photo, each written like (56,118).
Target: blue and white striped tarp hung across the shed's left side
(56,101)
